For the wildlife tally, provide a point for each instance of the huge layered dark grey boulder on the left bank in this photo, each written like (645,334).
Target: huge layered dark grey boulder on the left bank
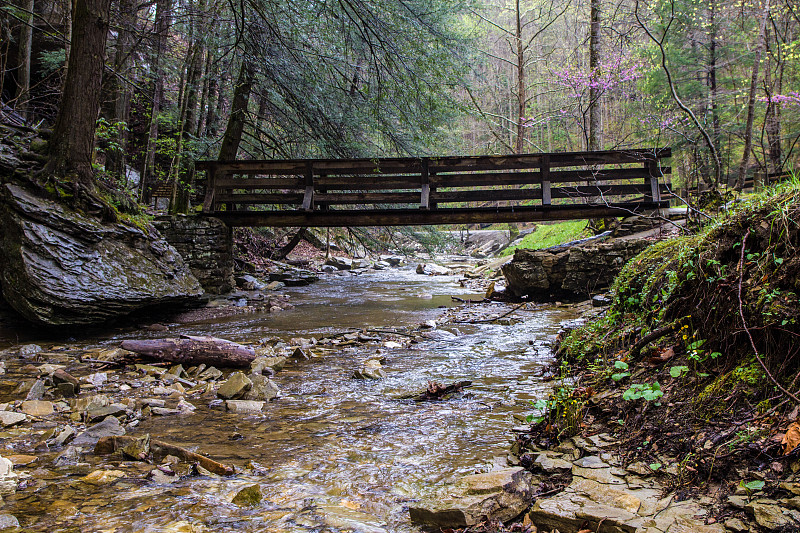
(59,267)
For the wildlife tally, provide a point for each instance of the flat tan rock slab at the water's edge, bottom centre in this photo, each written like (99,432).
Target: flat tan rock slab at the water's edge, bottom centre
(497,495)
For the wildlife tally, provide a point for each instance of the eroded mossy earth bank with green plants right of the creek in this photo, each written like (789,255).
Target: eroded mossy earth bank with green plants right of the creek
(693,372)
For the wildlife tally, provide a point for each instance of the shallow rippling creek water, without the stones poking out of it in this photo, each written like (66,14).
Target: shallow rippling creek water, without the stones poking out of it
(332,453)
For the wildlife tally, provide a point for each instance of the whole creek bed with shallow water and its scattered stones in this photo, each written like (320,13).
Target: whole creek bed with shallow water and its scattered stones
(313,438)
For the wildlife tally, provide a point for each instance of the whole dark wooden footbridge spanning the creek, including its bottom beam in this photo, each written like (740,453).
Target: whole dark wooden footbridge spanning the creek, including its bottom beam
(435,190)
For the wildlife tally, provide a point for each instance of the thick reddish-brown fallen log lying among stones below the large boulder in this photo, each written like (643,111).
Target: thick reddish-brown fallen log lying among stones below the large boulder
(192,350)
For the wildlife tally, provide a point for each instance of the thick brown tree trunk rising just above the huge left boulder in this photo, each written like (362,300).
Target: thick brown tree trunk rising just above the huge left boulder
(72,141)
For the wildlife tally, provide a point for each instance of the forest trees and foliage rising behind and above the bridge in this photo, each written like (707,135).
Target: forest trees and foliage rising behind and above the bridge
(157,84)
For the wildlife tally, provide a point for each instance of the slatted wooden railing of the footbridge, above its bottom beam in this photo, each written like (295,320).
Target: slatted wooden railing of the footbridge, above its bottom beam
(432,183)
